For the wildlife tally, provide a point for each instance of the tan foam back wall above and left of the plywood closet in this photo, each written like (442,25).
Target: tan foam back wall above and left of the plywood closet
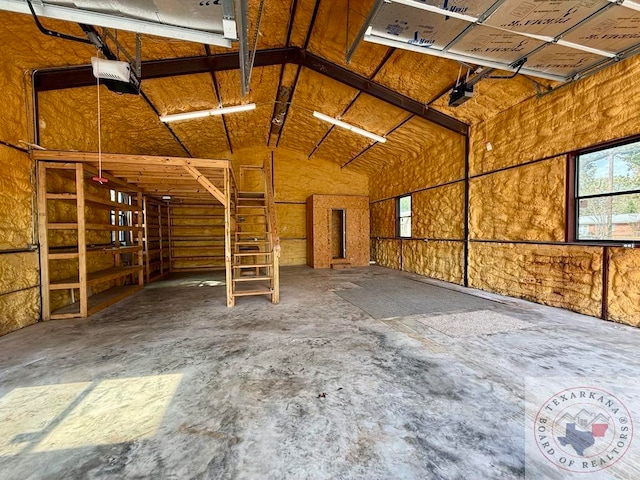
(295,179)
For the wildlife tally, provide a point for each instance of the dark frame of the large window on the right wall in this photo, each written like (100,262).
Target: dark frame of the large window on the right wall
(572,230)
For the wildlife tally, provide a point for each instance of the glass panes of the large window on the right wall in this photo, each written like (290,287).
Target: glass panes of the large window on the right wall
(608,194)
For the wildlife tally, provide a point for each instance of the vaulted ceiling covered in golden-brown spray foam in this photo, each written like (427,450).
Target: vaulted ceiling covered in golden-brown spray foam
(286,93)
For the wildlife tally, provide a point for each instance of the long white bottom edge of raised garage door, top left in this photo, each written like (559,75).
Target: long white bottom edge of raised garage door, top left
(114,21)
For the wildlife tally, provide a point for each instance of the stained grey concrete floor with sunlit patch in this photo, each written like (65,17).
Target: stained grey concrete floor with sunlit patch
(172,384)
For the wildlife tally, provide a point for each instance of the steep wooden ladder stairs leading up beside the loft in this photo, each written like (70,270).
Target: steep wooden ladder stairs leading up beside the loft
(256,247)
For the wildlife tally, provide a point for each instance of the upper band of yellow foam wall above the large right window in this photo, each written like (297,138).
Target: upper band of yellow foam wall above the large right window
(600,108)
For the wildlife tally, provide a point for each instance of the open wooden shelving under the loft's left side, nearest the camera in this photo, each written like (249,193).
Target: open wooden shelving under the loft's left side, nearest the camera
(92,287)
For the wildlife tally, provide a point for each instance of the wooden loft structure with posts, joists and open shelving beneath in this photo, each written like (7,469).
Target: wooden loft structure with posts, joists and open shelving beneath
(205,185)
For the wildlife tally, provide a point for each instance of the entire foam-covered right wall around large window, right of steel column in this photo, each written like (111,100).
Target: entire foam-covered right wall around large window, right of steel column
(600,108)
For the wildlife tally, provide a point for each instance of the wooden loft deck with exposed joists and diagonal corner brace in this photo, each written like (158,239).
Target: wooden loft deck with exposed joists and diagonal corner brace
(186,180)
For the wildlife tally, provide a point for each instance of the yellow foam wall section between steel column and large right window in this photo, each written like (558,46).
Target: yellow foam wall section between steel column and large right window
(526,203)
